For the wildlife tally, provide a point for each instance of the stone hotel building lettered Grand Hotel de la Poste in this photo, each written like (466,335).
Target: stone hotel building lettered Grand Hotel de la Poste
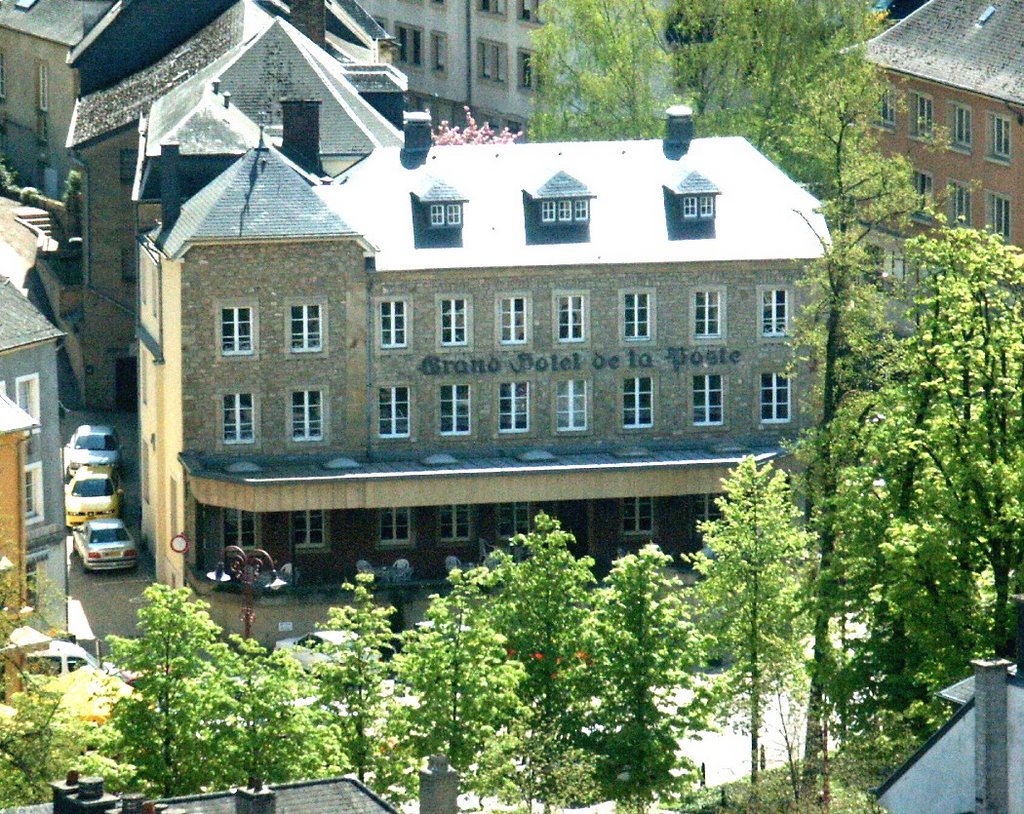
(409,361)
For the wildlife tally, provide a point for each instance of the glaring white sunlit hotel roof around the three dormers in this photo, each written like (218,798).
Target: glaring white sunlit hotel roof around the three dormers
(761,215)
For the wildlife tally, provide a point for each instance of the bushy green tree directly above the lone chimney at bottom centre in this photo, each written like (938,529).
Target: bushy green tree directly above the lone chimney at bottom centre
(456,667)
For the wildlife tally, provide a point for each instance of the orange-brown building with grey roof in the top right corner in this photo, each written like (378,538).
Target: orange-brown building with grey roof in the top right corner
(956,108)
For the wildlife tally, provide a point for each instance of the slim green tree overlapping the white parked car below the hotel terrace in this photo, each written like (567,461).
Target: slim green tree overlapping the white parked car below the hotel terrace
(355,688)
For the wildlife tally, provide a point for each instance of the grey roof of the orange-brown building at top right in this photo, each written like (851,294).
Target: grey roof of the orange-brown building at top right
(944,42)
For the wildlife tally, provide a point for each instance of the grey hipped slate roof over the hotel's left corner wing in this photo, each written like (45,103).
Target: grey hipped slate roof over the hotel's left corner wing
(263,196)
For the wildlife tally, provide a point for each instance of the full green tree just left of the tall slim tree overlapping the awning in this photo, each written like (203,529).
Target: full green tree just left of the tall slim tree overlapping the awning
(645,658)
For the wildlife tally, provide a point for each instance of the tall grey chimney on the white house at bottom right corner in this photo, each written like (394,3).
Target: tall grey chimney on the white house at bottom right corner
(992,787)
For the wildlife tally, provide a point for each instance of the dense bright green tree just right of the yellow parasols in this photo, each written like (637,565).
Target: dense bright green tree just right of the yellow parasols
(176,712)
